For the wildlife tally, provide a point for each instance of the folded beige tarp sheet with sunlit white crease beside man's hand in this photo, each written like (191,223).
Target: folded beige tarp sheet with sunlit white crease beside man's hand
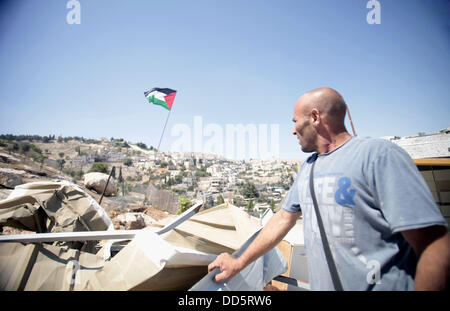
(177,259)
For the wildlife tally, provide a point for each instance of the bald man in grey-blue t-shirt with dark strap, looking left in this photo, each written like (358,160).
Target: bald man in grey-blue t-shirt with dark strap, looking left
(384,230)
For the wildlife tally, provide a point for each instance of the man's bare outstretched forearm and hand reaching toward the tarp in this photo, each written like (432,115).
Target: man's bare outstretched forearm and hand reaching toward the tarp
(274,231)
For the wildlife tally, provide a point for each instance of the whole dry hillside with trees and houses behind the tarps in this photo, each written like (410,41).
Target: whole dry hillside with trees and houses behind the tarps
(147,178)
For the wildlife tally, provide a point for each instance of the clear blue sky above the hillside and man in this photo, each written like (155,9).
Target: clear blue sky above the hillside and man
(232,62)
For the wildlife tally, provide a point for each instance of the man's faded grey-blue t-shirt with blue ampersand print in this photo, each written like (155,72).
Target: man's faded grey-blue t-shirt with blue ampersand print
(368,191)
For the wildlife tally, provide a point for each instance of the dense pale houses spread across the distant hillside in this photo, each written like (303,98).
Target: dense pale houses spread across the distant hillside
(208,177)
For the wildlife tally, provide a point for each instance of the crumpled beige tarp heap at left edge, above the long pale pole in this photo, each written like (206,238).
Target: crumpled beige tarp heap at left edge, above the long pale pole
(53,207)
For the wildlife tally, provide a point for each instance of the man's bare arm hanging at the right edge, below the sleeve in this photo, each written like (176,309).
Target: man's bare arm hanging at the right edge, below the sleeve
(432,247)
